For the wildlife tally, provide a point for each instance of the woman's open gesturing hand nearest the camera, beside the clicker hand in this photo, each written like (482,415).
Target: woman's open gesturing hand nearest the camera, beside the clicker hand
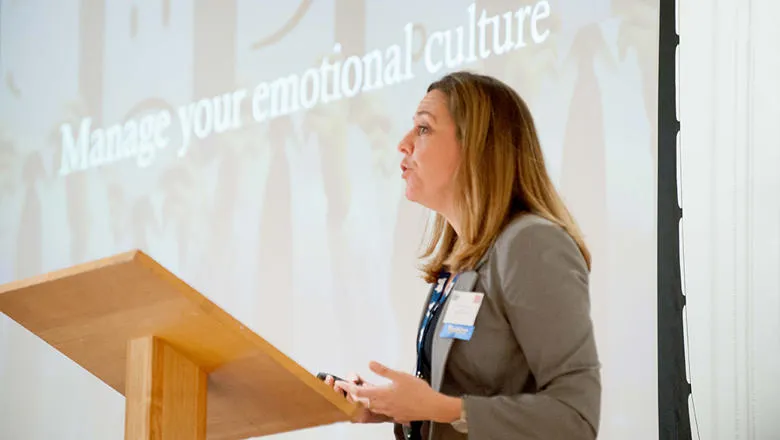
(406,398)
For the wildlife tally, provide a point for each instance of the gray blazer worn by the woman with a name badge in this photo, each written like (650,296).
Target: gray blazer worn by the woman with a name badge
(531,369)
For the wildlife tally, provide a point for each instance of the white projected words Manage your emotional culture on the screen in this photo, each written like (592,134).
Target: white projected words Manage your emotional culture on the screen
(481,35)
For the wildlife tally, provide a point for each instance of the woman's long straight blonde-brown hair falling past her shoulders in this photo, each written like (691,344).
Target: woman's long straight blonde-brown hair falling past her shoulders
(502,174)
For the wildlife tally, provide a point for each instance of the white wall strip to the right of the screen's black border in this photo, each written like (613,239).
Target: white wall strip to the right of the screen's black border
(729,104)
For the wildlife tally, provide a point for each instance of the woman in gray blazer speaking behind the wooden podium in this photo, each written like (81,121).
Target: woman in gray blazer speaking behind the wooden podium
(506,348)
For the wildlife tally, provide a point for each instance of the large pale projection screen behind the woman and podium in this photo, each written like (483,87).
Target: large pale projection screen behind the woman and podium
(250,147)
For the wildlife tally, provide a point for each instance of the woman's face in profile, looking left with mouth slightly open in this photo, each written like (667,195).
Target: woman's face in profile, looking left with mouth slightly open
(431,155)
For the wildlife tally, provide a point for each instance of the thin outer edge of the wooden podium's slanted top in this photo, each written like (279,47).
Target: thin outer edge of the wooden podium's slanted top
(209,307)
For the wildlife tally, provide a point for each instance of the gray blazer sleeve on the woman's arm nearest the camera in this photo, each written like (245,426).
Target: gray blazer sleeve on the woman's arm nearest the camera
(543,282)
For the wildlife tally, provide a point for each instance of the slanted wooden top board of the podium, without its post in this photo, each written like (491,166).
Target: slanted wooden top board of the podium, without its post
(91,311)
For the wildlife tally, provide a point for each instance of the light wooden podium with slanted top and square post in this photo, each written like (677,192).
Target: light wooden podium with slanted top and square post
(187,368)
